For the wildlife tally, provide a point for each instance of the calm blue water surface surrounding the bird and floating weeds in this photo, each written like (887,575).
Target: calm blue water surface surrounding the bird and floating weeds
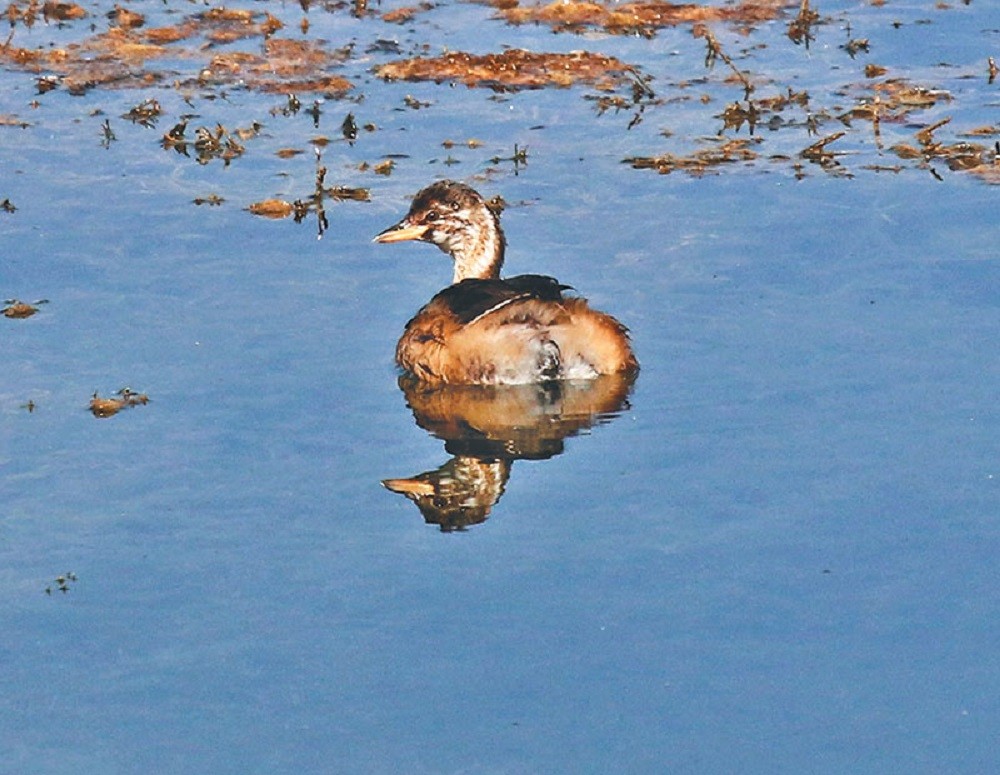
(775,554)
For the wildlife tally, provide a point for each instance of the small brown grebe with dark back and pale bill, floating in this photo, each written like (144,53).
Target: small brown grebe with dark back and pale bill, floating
(484,330)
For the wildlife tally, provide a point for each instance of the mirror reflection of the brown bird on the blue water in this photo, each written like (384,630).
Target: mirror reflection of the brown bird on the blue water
(487,427)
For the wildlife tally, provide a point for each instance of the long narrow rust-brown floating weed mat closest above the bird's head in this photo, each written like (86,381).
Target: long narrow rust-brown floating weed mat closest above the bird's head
(511,69)
